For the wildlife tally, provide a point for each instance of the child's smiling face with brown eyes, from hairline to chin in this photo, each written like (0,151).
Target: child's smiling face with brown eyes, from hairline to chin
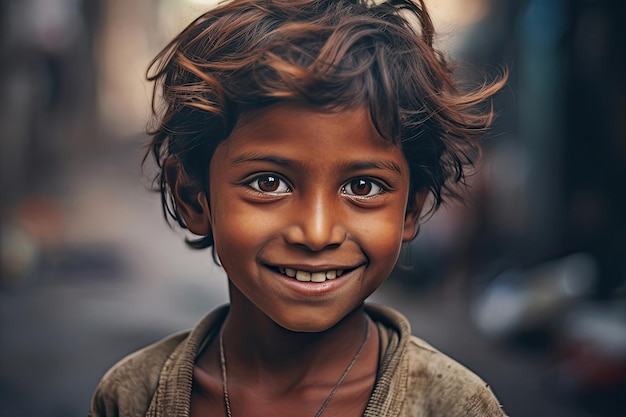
(297,191)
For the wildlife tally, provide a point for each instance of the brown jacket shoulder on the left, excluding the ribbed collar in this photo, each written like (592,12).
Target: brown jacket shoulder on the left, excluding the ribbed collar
(127,388)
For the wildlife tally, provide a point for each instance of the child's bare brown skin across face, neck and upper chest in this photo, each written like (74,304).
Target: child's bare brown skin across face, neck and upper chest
(293,187)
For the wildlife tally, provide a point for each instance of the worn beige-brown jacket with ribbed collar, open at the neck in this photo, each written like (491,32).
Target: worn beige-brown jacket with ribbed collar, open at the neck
(414,379)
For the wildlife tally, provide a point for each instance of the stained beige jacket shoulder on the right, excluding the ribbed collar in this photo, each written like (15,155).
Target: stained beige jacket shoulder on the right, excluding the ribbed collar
(445,387)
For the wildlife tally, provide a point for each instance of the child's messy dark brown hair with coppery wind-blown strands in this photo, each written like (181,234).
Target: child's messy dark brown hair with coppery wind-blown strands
(333,54)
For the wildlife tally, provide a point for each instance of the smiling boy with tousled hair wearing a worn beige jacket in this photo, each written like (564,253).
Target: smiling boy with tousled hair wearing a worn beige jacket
(299,140)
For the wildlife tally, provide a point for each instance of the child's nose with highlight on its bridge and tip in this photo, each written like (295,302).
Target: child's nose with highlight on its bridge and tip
(316,224)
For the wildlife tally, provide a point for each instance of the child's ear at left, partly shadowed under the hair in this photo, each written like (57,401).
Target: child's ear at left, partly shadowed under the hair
(191,201)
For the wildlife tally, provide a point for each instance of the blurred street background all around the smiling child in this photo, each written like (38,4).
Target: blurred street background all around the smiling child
(525,284)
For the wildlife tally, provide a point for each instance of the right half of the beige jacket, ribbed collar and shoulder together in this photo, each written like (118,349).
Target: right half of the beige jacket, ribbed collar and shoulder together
(425,381)
